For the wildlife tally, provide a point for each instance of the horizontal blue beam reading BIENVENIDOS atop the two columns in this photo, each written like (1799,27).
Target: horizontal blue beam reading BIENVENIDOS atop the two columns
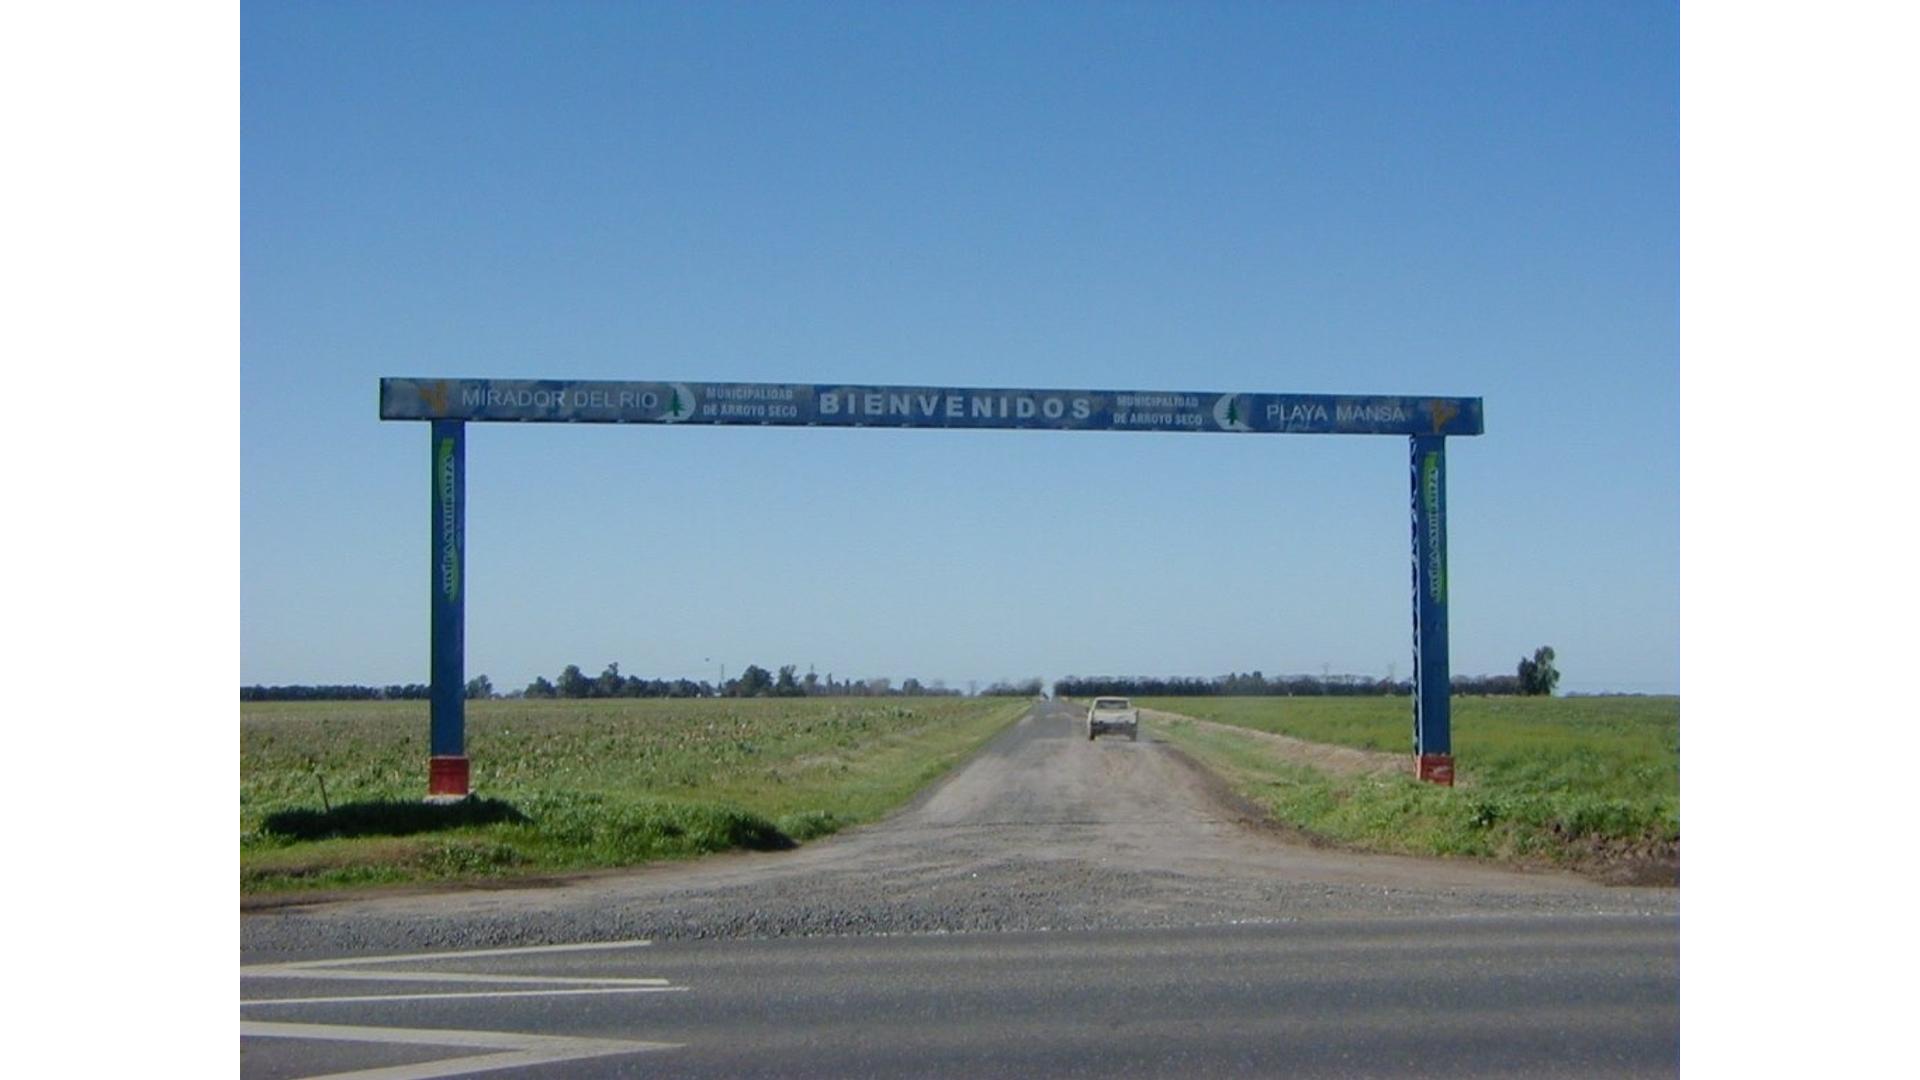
(794,405)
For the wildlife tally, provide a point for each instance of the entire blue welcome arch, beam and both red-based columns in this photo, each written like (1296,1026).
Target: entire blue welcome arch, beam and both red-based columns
(452,403)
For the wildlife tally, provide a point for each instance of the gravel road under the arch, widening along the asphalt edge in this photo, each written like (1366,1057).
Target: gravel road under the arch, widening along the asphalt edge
(1042,831)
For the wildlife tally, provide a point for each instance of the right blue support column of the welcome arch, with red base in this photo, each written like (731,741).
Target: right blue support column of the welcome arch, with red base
(1433,739)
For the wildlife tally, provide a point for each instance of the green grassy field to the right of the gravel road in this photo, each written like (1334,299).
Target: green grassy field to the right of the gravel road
(1581,783)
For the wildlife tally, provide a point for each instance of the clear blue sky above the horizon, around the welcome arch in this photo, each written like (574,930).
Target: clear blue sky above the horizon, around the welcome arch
(1397,199)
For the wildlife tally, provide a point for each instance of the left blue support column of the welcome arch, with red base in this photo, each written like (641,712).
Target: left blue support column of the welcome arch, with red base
(448,697)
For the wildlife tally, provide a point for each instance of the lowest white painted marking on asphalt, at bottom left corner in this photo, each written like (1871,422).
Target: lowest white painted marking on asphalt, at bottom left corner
(516,1050)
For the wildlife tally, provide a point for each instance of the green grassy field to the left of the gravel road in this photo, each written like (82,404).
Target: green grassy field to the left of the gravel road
(331,791)
